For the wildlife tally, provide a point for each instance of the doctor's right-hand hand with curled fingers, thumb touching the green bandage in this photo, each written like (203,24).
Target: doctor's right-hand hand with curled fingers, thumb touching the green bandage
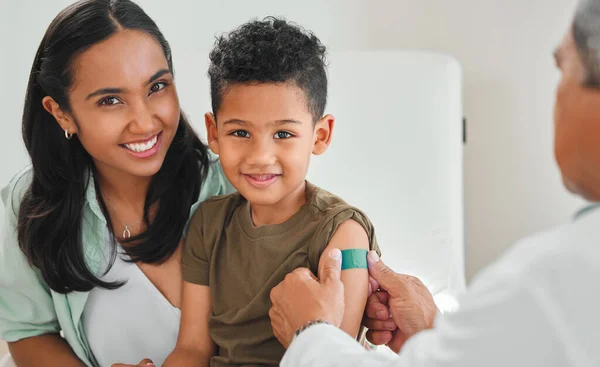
(409,302)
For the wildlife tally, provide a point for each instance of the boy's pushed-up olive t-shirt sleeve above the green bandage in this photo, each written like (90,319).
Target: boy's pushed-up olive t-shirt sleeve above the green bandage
(330,224)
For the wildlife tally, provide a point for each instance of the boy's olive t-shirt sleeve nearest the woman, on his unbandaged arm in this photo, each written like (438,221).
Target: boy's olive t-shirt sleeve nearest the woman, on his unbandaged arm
(194,260)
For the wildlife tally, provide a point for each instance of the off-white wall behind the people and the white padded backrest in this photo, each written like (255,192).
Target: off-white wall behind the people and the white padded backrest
(511,184)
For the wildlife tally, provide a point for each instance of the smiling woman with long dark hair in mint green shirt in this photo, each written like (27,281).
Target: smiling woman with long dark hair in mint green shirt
(92,231)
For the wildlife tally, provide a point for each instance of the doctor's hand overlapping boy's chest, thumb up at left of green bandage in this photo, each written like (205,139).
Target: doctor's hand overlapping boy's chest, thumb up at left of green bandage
(301,298)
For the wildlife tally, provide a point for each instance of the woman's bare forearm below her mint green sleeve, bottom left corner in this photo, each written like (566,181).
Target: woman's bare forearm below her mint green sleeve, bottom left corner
(47,350)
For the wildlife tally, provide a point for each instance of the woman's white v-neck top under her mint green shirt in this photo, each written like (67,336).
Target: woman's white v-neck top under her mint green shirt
(130,323)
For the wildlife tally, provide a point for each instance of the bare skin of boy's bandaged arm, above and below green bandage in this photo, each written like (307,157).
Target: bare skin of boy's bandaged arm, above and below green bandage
(351,235)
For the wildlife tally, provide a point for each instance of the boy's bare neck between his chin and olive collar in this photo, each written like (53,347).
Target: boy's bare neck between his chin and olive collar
(281,211)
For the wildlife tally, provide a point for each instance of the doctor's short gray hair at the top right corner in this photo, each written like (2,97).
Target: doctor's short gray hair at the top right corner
(586,34)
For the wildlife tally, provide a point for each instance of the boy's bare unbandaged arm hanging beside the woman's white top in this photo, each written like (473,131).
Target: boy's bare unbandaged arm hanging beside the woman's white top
(194,346)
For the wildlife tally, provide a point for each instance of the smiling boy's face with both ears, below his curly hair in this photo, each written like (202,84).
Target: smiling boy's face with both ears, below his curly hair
(265,136)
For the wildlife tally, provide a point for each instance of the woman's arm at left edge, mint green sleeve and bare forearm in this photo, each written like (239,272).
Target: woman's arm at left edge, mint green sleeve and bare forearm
(28,321)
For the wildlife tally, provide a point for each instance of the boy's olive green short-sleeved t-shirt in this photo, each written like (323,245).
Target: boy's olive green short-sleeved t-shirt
(241,263)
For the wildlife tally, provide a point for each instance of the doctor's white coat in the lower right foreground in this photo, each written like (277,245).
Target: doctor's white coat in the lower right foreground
(536,306)
